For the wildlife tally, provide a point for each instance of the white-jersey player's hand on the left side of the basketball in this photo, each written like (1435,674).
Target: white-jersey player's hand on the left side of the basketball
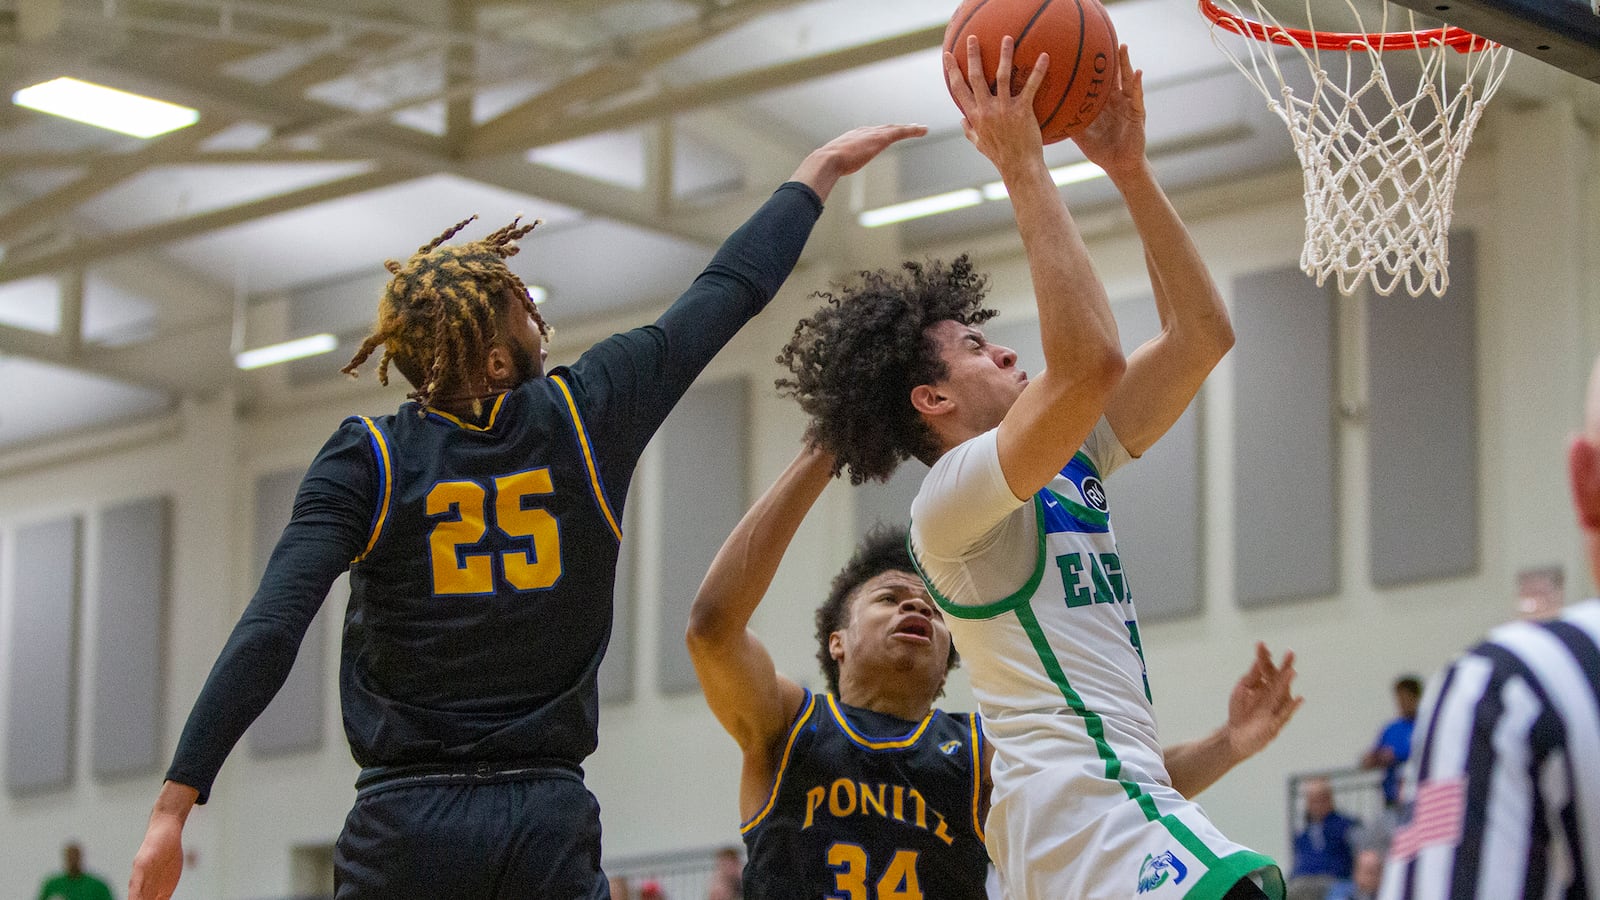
(1002,126)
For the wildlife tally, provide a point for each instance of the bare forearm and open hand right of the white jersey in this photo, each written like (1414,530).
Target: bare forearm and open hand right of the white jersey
(1257,712)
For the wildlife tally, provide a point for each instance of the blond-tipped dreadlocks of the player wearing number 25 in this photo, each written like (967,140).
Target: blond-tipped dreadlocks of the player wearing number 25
(441,311)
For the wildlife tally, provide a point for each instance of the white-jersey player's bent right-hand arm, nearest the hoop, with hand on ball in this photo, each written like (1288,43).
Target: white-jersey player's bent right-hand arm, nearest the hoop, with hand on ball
(1166,372)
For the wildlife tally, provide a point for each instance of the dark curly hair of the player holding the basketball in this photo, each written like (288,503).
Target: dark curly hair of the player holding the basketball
(857,360)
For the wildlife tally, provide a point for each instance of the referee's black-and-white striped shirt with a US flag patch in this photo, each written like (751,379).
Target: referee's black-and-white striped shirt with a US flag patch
(1508,777)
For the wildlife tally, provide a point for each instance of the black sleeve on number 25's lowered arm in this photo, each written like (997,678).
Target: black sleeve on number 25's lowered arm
(332,523)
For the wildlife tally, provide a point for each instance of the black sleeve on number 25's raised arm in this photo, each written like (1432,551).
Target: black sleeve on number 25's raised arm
(631,382)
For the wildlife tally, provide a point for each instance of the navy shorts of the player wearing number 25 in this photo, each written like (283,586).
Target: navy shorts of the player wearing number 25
(476,838)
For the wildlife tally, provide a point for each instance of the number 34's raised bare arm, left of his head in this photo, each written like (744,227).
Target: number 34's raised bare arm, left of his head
(751,701)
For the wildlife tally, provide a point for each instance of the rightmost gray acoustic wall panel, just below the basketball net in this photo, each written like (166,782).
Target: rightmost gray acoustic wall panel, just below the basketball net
(1423,468)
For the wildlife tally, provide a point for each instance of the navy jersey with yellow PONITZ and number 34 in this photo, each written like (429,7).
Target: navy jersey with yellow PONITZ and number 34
(871,808)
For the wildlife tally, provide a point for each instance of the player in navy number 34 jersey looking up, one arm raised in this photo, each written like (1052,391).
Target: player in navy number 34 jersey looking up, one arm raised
(868,790)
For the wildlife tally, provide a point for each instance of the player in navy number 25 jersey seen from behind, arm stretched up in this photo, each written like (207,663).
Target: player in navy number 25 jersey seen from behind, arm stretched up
(481,531)
